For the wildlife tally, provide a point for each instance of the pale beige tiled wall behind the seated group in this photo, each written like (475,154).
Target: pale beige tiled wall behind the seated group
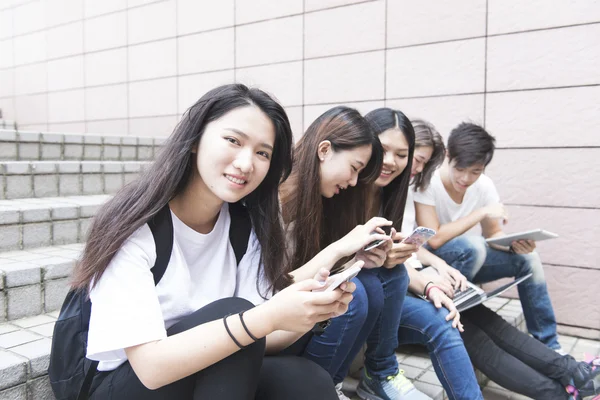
(528,70)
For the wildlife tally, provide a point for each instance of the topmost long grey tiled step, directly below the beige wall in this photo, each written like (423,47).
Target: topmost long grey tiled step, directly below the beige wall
(20,146)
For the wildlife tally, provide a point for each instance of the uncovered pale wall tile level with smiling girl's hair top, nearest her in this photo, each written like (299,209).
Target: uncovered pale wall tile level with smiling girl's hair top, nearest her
(153,98)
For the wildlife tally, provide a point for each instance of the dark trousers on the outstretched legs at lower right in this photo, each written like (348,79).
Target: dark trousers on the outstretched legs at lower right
(513,359)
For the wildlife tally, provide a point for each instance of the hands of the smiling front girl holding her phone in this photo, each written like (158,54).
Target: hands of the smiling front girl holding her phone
(297,309)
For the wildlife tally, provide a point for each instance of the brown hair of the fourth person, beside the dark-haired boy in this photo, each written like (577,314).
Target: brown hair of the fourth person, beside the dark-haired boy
(427,136)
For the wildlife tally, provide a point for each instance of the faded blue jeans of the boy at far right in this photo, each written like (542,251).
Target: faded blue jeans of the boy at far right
(481,263)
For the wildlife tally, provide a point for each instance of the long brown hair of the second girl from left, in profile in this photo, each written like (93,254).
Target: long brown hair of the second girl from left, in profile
(319,221)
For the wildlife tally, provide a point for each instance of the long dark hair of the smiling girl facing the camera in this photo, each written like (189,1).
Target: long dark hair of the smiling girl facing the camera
(135,204)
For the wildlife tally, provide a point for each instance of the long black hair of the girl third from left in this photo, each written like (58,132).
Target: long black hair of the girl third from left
(394,194)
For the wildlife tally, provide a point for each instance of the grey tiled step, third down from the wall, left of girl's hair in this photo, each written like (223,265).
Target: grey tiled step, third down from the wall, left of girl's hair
(49,221)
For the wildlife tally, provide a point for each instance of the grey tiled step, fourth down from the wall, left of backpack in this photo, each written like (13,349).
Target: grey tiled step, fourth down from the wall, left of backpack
(35,281)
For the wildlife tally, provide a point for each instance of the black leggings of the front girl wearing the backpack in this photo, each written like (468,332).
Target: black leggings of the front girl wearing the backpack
(245,375)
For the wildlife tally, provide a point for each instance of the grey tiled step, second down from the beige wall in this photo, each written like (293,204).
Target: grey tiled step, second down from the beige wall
(26,179)
